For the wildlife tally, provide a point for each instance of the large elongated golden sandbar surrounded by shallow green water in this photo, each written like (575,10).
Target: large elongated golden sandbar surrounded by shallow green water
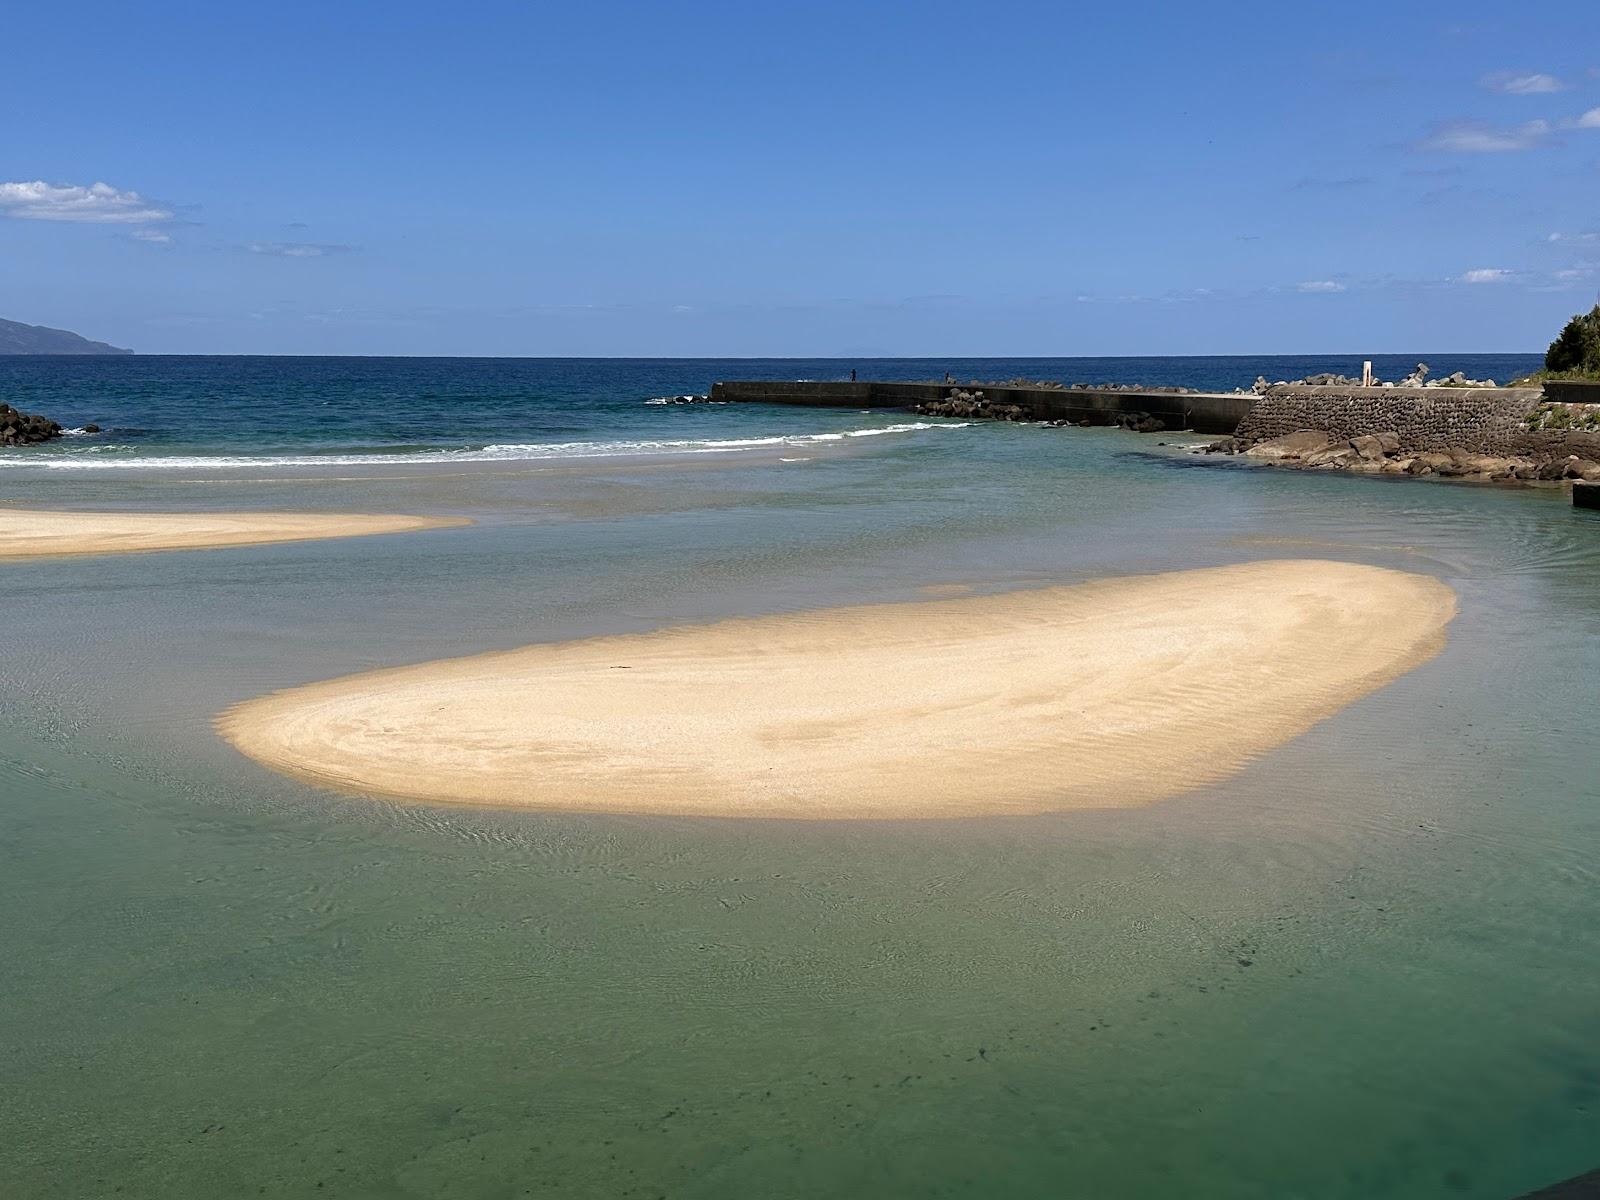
(1103,695)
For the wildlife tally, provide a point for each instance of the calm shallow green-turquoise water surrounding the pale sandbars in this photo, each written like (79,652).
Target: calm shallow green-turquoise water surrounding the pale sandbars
(1361,969)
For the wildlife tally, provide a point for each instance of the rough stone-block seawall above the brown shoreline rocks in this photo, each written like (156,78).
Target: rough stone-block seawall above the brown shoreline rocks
(1481,422)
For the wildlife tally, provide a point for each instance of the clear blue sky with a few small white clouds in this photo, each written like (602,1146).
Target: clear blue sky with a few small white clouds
(802,180)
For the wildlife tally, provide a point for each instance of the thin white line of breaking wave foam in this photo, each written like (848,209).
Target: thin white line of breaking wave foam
(516,452)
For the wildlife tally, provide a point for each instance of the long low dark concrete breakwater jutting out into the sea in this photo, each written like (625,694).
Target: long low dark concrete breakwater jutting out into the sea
(1201,412)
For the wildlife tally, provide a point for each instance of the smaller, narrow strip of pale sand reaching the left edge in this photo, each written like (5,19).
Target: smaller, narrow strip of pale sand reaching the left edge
(31,534)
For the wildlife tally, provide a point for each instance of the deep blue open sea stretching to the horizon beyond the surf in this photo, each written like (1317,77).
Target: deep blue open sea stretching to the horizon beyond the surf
(169,412)
